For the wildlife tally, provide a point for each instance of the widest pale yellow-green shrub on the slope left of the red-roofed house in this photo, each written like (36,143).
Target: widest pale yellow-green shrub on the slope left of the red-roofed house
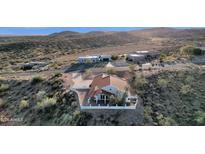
(46,102)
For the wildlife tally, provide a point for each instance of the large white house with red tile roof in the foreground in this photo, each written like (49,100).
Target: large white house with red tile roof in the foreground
(103,87)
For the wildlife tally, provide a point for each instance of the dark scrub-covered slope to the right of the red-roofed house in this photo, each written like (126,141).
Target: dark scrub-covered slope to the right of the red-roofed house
(173,98)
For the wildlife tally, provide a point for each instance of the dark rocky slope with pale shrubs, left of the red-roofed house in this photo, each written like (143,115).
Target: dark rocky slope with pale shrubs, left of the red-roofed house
(39,102)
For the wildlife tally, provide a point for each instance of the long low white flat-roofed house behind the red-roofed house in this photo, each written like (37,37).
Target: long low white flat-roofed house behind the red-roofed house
(94,58)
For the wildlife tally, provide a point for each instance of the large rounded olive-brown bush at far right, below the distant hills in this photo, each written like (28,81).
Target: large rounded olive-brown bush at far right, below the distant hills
(190,50)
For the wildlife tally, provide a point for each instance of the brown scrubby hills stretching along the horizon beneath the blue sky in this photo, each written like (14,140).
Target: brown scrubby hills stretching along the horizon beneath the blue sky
(26,47)
